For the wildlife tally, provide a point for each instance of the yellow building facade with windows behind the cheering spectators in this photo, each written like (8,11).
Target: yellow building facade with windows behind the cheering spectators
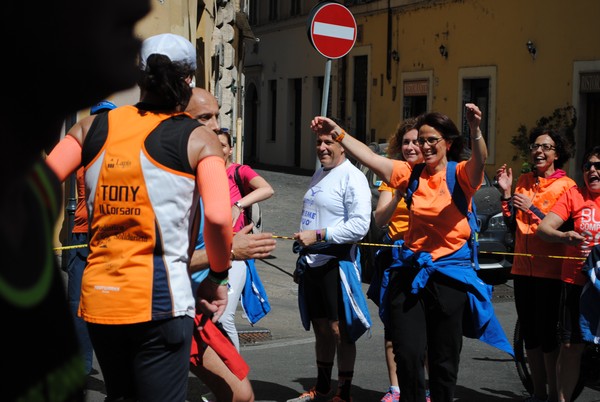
(416,56)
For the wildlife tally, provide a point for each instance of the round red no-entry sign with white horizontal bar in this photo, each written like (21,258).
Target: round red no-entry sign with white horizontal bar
(332,29)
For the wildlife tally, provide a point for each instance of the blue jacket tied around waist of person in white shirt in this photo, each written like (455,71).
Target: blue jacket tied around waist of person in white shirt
(356,312)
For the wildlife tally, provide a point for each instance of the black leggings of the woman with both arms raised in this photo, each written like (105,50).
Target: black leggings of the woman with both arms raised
(426,325)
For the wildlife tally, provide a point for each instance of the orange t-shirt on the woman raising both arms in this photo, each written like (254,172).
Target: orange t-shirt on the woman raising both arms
(436,224)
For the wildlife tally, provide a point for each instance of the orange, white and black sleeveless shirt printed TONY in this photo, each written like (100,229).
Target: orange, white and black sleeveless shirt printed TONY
(142,200)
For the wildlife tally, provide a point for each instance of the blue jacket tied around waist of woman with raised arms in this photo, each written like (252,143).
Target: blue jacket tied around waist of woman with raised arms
(482,322)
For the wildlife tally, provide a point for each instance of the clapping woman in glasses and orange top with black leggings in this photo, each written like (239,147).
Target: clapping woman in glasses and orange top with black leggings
(536,278)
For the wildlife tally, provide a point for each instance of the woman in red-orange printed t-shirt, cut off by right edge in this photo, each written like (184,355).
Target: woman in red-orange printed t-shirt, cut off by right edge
(582,206)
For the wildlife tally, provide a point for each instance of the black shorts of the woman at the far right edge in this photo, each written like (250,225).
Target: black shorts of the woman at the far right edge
(569,330)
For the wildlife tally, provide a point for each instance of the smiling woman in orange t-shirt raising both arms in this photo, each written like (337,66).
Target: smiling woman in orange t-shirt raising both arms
(432,245)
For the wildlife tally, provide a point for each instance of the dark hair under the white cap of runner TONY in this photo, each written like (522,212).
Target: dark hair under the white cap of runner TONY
(166,81)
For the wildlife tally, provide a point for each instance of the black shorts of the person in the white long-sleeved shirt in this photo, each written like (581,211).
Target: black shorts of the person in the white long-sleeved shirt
(322,291)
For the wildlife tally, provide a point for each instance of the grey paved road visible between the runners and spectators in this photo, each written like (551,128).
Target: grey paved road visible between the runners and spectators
(281,353)
